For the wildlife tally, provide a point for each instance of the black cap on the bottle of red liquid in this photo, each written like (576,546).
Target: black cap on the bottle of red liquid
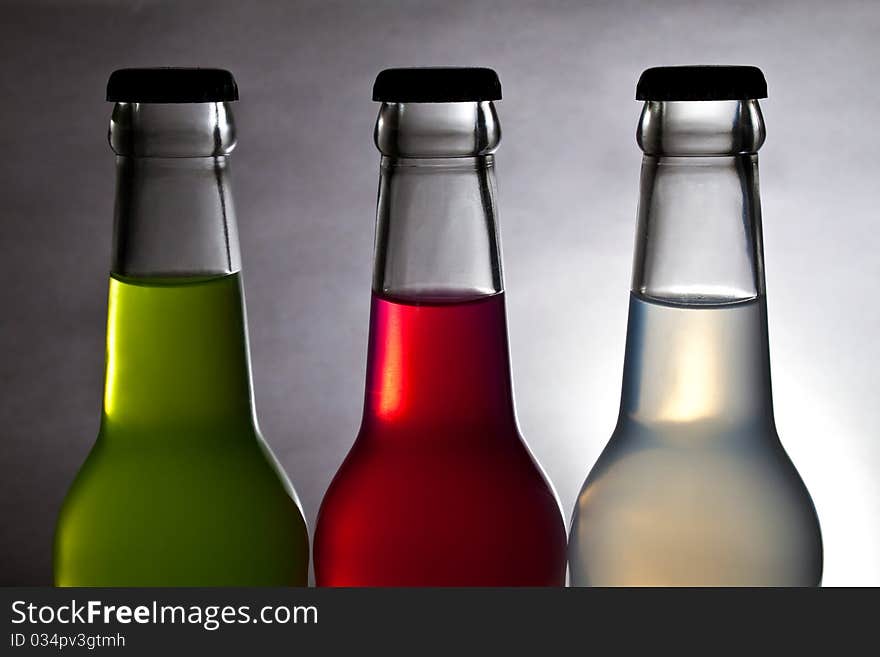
(436,85)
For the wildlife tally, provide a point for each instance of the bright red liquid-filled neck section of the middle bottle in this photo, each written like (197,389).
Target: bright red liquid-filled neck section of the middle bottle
(438,370)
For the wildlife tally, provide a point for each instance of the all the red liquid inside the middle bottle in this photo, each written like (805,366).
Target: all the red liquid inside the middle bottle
(439,488)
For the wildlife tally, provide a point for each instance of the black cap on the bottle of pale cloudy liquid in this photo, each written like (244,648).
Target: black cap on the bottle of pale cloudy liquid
(701,83)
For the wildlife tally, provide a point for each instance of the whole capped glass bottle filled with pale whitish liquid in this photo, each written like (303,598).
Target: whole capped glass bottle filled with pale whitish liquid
(694,487)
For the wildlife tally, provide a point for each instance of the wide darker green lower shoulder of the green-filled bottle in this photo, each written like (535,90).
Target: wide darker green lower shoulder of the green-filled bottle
(180,514)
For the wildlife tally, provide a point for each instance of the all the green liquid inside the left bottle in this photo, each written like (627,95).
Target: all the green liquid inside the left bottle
(180,488)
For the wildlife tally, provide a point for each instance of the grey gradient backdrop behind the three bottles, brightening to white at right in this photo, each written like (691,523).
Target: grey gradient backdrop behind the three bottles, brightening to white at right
(305,176)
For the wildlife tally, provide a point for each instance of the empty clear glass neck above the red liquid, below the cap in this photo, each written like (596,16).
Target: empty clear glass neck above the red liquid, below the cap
(436,233)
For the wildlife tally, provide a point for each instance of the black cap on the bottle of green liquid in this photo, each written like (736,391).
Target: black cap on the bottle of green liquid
(171,85)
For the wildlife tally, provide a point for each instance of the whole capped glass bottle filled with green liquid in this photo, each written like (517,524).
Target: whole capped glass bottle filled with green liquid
(179,489)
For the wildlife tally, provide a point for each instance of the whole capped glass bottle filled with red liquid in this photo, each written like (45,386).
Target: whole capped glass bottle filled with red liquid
(439,488)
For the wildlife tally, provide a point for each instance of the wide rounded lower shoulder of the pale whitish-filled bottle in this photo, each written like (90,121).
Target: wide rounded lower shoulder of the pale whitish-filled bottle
(694,509)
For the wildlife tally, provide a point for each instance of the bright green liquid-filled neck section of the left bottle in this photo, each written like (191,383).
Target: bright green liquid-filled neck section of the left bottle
(177,359)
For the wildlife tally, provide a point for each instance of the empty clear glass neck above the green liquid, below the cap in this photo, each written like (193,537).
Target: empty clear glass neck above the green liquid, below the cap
(174,213)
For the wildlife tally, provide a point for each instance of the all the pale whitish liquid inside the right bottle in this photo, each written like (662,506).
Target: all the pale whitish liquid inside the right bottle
(696,494)
